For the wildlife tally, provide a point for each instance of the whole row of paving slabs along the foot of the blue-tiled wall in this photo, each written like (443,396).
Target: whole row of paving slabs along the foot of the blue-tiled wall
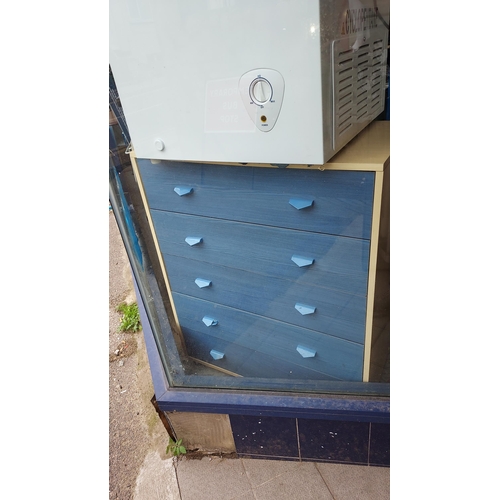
(247,479)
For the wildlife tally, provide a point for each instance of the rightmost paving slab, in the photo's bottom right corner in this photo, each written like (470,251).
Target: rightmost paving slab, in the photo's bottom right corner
(353,482)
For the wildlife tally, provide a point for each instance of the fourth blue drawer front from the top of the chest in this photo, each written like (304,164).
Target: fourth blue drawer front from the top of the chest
(335,357)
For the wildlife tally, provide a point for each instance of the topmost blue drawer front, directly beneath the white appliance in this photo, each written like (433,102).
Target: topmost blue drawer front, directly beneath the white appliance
(342,200)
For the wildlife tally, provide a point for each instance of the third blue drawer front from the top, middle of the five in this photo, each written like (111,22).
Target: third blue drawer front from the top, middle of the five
(335,313)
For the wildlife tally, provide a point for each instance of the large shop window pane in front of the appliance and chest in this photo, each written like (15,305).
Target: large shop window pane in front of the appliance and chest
(254,203)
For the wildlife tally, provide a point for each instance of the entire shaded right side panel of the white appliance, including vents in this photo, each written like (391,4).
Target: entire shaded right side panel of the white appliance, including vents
(351,25)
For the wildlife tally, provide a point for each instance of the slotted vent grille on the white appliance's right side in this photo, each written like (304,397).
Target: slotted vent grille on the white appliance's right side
(358,87)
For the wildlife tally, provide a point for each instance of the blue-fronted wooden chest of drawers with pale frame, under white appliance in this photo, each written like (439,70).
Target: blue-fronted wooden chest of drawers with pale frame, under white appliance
(271,271)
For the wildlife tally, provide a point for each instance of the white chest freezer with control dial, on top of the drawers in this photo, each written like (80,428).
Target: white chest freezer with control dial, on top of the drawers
(261,81)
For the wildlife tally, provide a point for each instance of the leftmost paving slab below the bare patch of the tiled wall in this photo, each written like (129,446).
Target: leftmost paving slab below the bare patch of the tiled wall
(212,478)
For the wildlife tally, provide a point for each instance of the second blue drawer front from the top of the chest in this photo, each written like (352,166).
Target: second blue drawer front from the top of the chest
(339,263)
